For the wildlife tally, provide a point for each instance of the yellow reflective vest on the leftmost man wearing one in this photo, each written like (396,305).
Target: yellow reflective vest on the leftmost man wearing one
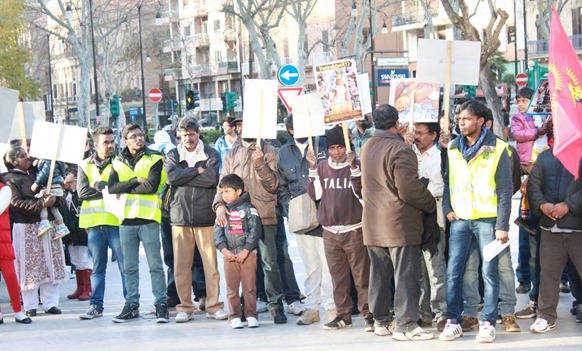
(93,212)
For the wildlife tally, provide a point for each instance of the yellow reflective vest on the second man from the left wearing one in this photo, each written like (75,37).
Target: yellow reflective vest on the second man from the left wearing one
(144,206)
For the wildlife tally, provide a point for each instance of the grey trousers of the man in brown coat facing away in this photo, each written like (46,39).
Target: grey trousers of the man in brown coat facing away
(402,263)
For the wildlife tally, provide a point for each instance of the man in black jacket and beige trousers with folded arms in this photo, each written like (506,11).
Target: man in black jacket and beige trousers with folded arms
(192,170)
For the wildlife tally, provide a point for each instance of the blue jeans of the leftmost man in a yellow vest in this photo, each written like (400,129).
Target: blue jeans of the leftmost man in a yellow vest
(98,241)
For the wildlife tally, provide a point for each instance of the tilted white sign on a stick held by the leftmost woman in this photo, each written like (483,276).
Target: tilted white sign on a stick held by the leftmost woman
(59,142)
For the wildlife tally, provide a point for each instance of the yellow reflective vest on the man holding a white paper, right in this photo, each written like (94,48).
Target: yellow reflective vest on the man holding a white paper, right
(472,184)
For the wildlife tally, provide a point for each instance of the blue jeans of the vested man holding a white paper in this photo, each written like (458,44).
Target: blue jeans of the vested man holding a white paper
(463,232)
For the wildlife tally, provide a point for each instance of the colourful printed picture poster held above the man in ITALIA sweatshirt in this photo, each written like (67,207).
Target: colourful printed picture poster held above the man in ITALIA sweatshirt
(337,86)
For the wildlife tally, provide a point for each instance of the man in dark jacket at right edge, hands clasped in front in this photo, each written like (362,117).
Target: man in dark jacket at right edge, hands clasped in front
(557,198)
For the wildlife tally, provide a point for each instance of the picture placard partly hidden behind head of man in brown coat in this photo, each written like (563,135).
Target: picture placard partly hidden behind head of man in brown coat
(426,100)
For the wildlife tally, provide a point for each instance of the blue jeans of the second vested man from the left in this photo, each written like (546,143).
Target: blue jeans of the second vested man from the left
(149,235)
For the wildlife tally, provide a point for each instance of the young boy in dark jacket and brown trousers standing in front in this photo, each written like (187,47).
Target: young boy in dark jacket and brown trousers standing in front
(238,244)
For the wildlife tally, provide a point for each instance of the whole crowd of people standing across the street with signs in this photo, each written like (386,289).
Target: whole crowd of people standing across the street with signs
(394,227)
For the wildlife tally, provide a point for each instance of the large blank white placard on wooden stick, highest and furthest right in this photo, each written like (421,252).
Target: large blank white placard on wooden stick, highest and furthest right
(432,61)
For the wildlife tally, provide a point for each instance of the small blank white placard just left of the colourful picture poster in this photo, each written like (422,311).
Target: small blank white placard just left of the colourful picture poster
(308,116)
